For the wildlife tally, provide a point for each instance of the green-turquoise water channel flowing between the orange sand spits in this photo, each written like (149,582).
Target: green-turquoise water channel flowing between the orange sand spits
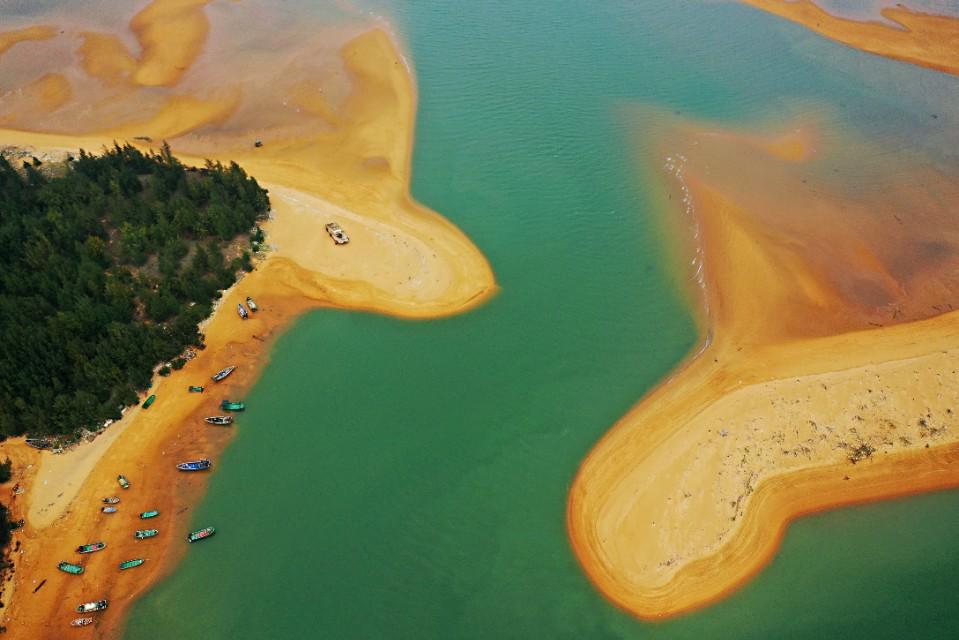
(426,498)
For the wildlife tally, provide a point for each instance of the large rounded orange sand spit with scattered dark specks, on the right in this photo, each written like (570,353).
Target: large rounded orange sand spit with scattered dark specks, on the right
(798,403)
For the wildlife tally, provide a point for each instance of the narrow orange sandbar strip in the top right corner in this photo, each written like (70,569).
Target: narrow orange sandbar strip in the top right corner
(924,39)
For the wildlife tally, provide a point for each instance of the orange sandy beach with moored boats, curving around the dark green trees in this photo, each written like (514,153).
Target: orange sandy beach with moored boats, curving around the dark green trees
(403,259)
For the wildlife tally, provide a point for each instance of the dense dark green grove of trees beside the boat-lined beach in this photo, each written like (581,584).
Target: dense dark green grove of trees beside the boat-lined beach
(105,272)
